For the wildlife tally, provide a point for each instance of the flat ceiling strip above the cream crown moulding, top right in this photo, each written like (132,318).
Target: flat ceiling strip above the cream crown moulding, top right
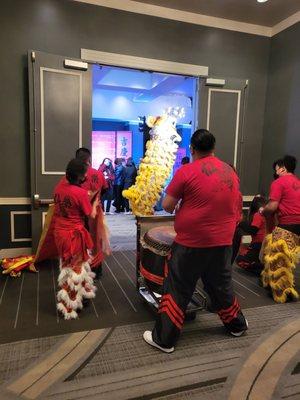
(267,14)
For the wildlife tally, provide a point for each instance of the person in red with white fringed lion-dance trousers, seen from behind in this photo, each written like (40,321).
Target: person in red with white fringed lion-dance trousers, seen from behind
(72,240)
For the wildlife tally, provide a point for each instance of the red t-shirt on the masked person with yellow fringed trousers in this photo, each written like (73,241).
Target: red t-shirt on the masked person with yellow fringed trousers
(286,190)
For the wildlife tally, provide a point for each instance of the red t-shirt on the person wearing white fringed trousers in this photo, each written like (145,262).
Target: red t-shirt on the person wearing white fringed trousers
(71,203)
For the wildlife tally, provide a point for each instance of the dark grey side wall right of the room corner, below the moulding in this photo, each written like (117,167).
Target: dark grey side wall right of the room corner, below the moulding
(282,120)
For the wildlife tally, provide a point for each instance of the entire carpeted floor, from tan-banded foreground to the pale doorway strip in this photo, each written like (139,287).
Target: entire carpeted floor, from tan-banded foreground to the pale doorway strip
(102,355)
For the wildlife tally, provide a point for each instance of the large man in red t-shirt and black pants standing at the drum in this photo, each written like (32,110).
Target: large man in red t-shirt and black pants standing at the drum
(205,223)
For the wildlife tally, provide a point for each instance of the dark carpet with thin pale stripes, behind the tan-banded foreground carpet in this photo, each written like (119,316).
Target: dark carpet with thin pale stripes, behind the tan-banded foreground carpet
(27,304)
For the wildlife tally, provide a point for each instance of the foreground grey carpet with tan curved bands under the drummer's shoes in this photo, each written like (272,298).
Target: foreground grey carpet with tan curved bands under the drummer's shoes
(123,366)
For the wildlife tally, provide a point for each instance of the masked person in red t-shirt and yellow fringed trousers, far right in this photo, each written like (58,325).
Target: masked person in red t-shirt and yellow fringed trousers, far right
(282,247)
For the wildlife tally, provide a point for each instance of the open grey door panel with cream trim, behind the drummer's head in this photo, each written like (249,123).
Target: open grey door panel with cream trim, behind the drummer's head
(222,109)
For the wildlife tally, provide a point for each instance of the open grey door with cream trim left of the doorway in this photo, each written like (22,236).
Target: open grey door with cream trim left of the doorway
(60,95)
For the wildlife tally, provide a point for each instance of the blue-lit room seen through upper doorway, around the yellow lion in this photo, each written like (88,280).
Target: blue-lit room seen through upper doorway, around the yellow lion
(123,98)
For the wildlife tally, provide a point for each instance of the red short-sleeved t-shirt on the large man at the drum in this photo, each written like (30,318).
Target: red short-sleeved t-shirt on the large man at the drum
(209,211)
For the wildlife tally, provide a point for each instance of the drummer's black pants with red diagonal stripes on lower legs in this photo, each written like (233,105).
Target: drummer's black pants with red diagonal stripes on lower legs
(185,266)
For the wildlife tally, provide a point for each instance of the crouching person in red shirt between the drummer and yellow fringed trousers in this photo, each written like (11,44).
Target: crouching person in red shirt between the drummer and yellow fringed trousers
(255,226)
